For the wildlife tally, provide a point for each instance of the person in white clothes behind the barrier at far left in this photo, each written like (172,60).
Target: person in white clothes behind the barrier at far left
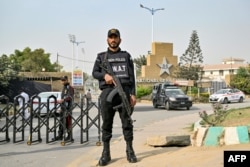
(23,103)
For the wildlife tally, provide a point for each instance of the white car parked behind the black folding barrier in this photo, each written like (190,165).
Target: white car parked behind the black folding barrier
(44,97)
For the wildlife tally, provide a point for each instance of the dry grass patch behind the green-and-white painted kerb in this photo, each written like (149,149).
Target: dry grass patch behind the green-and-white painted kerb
(232,117)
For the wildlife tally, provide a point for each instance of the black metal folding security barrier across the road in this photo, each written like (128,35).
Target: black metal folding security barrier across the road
(38,124)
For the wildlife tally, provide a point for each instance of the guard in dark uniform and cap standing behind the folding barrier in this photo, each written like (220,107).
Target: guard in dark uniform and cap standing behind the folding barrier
(66,101)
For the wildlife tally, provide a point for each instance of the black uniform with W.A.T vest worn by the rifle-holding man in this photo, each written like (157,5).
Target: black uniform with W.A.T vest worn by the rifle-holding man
(122,65)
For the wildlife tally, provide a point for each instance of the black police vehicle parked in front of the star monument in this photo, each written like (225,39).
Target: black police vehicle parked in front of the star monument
(170,96)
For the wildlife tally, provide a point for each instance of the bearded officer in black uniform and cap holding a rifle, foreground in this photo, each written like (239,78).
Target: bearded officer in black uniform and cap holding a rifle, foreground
(122,65)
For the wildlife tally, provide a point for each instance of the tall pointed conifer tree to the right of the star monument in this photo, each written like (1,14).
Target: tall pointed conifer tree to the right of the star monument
(190,62)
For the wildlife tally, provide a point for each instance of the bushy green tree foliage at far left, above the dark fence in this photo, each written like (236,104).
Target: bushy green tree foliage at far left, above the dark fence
(26,61)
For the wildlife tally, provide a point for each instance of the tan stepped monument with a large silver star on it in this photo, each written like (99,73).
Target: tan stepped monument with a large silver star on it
(161,64)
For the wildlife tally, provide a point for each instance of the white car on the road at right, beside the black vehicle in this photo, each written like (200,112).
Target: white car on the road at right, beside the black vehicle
(227,95)
